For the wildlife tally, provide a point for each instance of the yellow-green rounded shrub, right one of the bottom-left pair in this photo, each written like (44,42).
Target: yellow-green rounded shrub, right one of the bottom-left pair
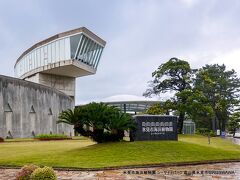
(43,173)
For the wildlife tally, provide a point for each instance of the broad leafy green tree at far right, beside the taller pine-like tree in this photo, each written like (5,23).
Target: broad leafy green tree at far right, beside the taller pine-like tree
(220,87)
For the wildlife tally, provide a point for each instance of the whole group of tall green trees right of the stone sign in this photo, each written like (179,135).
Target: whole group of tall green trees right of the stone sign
(207,95)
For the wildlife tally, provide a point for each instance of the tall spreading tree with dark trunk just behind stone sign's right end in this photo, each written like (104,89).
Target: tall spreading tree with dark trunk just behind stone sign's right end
(174,75)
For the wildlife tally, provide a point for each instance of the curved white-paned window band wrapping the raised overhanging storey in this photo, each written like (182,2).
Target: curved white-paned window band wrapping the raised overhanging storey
(78,47)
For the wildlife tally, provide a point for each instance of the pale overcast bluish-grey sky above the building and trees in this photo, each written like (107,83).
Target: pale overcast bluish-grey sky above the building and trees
(140,35)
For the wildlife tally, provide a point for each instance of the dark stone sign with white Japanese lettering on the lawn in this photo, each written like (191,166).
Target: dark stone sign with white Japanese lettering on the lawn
(155,127)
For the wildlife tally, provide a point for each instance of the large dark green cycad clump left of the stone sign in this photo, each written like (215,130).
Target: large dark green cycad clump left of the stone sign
(98,121)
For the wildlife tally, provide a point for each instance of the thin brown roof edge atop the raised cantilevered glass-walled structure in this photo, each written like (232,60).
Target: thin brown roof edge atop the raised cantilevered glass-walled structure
(60,35)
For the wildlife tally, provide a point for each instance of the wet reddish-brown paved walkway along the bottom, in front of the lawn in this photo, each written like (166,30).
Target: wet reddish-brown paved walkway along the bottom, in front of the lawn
(210,171)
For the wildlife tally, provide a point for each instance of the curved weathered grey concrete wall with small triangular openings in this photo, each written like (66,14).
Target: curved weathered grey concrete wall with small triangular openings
(28,108)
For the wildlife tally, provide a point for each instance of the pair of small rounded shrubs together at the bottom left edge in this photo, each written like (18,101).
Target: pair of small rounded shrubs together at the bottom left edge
(33,172)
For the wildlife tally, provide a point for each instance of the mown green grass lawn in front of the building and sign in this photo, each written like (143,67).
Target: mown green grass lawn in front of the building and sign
(83,153)
